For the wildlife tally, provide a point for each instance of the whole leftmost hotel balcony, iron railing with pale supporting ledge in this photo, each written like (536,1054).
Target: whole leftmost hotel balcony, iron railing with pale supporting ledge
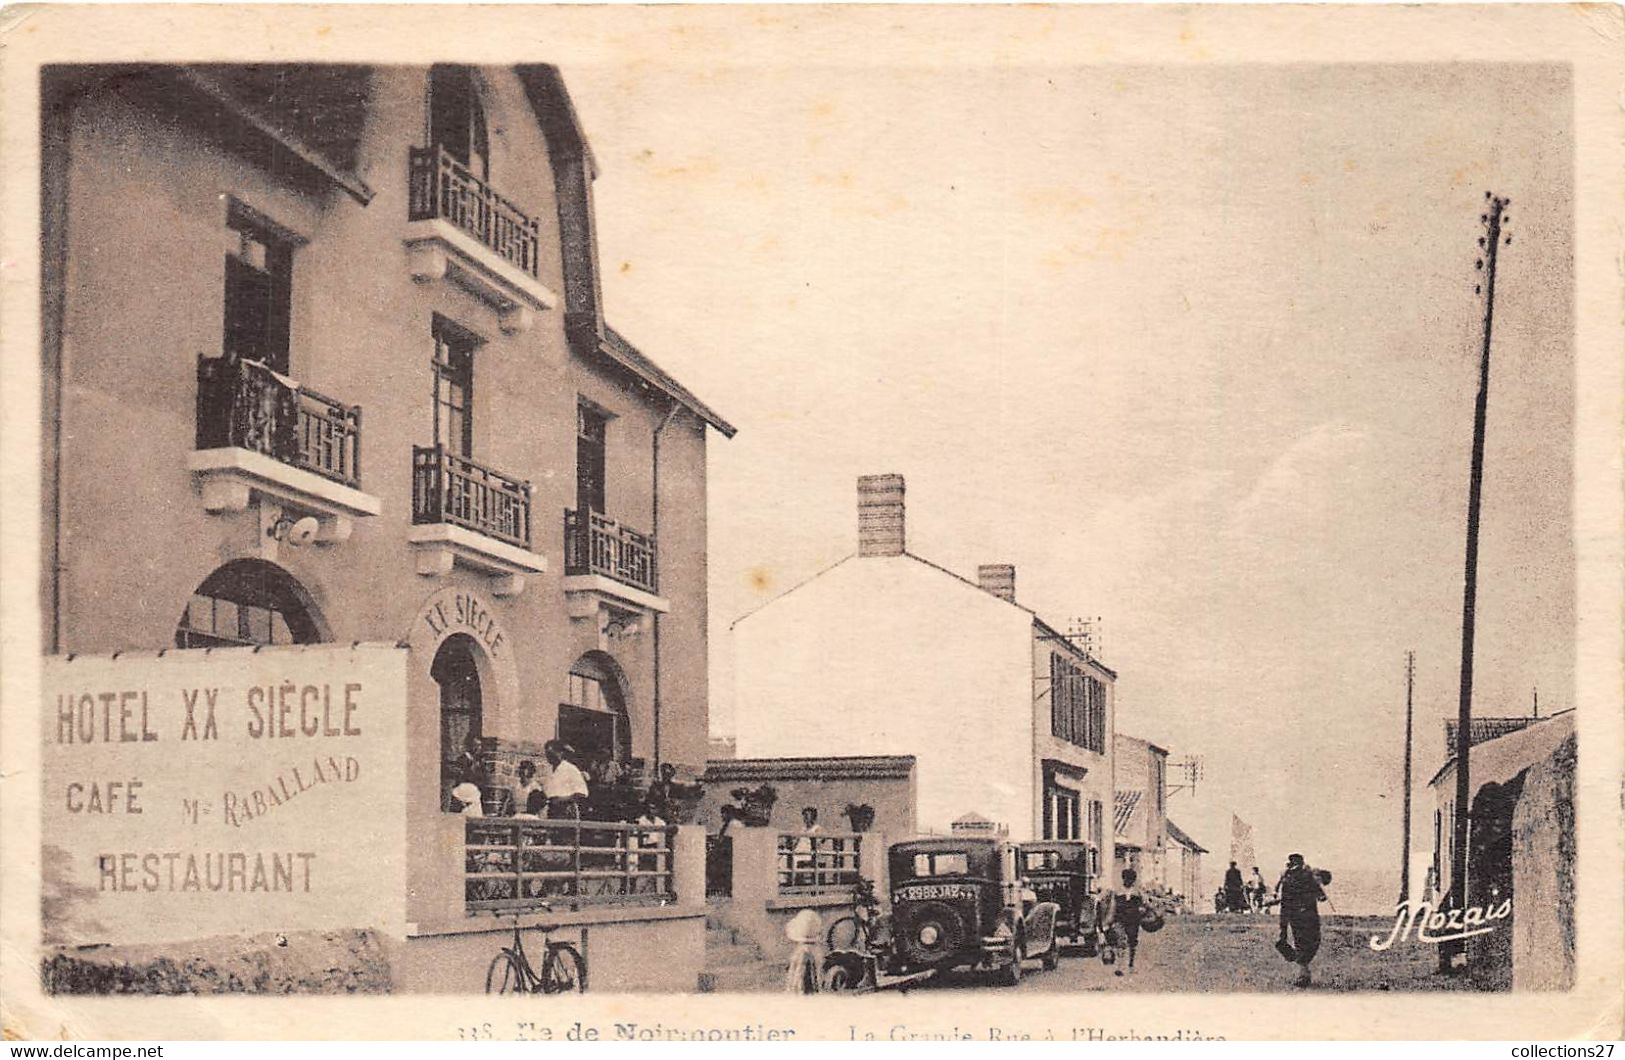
(264,435)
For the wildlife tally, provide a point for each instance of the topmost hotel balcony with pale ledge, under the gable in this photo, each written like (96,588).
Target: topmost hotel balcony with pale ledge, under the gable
(459,228)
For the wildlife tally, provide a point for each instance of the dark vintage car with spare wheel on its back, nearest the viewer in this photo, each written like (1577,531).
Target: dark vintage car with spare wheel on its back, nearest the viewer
(961,903)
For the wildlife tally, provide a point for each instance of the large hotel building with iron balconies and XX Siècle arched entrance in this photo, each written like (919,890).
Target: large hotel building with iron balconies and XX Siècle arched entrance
(327,360)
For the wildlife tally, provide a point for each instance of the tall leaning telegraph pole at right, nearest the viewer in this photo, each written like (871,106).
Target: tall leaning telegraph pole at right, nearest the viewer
(1494,217)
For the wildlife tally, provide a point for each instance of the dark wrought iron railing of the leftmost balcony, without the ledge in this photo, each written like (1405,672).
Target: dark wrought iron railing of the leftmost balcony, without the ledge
(246,406)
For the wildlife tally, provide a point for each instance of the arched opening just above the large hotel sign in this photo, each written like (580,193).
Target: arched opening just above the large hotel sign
(249,602)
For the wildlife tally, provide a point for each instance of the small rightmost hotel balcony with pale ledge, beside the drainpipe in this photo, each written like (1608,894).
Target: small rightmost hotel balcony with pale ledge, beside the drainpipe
(609,565)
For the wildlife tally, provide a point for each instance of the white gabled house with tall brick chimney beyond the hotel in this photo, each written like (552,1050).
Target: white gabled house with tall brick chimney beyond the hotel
(891,654)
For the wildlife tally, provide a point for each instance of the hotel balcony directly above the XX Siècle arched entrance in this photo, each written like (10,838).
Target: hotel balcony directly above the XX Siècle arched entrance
(470,515)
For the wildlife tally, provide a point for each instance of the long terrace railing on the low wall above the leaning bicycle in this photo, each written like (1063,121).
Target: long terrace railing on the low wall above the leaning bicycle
(518,864)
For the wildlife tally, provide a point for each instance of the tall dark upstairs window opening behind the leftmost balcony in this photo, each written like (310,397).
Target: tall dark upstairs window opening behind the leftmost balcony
(259,290)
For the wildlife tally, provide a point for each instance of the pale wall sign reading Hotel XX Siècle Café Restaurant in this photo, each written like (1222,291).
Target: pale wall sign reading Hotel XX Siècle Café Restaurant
(225,791)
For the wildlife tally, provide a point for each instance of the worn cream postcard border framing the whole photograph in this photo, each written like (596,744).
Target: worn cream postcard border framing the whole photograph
(1590,38)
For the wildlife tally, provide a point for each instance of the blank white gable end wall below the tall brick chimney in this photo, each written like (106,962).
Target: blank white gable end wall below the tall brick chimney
(890,656)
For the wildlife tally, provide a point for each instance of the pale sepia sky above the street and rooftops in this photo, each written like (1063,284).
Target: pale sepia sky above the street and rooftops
(1194,347)
